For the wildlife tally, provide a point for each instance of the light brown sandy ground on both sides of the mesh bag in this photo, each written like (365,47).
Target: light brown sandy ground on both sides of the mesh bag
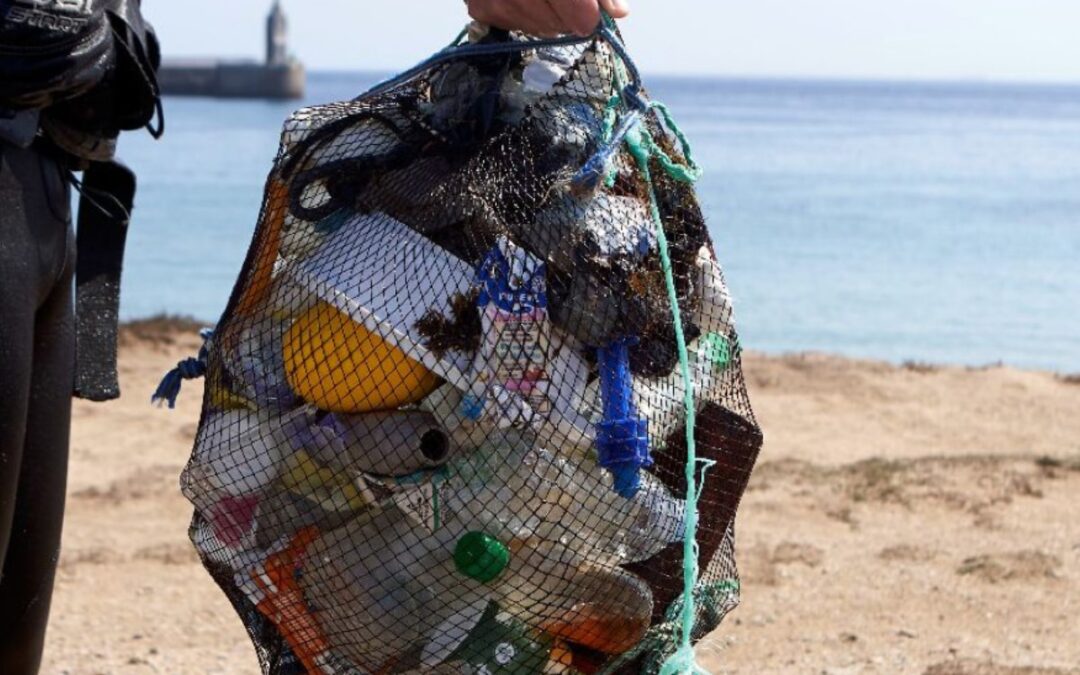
(902,520)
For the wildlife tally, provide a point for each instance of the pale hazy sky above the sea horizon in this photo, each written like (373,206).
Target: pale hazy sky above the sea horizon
(1011,40)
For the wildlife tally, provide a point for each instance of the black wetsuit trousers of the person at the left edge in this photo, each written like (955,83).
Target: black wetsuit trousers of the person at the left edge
(37,361)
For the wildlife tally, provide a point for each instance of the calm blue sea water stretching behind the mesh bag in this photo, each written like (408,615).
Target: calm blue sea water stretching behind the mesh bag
(937,223)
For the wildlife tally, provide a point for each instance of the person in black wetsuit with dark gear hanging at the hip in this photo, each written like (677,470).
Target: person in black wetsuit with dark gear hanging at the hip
(73,76)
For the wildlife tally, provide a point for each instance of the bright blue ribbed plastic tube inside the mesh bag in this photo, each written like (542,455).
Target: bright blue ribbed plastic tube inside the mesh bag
(623,438)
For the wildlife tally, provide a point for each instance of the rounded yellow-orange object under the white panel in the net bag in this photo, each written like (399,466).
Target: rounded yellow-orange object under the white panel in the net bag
(341,367)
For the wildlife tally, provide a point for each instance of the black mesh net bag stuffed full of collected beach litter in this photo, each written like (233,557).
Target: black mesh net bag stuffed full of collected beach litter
(444,428)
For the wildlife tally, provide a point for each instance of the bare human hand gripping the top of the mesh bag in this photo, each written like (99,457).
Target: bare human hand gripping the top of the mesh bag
(546,18)
